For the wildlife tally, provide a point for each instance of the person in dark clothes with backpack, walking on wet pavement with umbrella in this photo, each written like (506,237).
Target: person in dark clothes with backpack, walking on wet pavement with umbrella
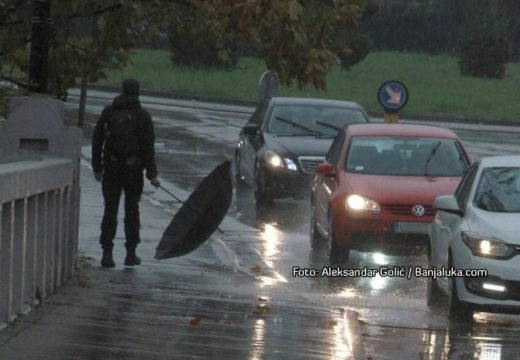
(122,171)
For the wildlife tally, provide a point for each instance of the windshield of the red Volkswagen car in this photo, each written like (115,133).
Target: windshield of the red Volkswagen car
(405,156)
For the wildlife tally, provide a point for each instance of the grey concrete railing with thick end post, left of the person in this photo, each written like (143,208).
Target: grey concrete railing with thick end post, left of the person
(39,203)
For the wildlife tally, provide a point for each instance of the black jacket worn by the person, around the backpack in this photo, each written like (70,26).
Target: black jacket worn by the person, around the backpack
(146,156)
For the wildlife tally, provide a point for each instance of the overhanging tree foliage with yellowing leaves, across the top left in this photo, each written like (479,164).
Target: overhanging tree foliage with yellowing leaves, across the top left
(294,37)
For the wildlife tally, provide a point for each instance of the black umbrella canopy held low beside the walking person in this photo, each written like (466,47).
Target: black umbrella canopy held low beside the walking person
(200,215)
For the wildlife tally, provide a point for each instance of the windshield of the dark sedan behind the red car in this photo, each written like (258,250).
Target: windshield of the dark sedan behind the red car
(311,120)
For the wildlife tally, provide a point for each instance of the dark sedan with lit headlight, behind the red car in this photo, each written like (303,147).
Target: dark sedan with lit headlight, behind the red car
(285,140)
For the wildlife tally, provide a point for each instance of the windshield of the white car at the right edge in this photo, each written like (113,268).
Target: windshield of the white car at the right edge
(499,190)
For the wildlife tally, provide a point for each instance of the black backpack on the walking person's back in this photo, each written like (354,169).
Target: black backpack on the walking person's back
(122,137)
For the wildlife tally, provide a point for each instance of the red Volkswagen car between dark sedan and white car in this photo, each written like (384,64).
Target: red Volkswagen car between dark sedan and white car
(378,183)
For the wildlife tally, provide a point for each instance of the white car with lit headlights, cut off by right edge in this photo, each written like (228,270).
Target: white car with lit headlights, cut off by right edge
(475,240)
